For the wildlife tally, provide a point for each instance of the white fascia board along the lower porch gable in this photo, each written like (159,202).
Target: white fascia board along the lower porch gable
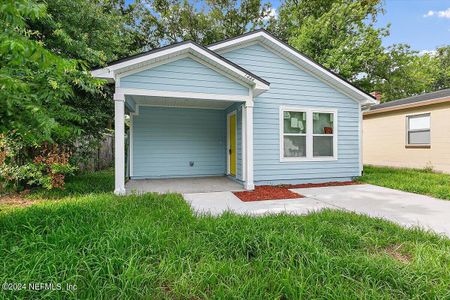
(111,72)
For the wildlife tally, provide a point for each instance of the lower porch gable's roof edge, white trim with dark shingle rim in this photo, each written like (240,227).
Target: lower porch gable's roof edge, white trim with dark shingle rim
(129,64)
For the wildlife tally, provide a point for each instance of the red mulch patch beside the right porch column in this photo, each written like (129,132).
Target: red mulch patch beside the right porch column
(267,192)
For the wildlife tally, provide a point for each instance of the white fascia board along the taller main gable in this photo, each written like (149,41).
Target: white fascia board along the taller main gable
(302,60)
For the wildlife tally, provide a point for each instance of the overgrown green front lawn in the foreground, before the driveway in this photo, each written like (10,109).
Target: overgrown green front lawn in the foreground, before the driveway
(153,247)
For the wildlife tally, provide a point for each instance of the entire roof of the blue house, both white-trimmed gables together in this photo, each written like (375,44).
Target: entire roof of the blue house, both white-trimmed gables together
(210,55)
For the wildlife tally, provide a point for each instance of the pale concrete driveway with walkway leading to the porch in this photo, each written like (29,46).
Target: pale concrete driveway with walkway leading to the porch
(406,209)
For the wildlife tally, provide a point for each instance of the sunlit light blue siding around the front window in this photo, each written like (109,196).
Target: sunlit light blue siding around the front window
(292,86)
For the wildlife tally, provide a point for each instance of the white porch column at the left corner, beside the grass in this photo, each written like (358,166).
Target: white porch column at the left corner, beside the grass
(119,142)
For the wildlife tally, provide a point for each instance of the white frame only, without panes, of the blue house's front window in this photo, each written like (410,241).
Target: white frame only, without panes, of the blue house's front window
(309,133)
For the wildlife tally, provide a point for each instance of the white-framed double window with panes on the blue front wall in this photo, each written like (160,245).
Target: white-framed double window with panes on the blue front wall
(307,134)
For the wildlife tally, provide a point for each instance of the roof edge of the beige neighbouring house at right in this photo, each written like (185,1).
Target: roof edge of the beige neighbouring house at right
(423,99)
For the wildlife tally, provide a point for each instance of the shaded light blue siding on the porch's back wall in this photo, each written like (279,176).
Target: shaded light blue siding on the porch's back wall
(165,140)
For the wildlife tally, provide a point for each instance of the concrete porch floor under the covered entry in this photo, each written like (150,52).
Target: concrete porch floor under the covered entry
(183,185)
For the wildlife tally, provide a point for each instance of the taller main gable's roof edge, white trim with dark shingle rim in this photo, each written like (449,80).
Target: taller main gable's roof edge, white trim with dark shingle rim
(294,55)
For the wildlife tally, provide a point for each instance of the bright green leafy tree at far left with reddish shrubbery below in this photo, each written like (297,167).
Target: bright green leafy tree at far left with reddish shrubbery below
(35,87)
